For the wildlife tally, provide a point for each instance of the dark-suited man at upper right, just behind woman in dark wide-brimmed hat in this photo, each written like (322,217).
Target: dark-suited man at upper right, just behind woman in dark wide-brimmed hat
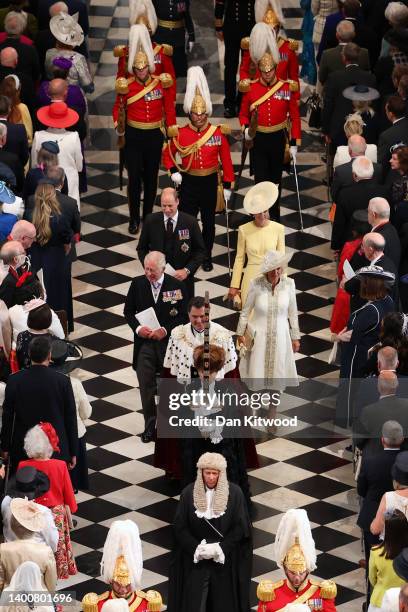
(335,106)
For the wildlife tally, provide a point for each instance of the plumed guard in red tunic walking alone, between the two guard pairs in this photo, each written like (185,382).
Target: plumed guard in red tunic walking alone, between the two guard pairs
(199,159)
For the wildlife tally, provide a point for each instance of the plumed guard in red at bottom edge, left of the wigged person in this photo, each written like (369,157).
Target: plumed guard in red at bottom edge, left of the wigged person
(121,568)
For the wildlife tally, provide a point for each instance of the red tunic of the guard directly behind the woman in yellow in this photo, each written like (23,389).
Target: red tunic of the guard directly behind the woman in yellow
(273,113)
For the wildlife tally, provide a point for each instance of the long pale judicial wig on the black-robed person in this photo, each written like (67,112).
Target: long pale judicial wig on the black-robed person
(211,461)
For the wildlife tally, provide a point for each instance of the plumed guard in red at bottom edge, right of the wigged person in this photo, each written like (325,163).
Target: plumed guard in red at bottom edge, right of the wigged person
(295,553)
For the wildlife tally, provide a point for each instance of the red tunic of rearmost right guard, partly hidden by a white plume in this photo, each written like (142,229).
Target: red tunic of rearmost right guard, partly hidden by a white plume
(287,69)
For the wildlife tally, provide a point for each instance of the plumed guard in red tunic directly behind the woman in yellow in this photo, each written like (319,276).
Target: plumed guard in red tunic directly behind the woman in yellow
(269,114)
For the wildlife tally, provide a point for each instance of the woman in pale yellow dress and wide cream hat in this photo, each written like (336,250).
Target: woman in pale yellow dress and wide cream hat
(256,238)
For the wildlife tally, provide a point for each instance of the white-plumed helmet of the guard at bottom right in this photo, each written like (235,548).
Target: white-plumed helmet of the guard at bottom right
(294,545)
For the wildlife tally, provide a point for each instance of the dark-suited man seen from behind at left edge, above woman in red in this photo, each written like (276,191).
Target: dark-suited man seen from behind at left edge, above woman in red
(35,394)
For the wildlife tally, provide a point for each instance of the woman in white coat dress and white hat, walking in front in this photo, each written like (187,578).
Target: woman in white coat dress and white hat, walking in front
(274,327)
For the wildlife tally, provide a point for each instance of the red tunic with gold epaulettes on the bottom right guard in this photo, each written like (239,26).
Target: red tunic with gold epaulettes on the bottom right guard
(309,593)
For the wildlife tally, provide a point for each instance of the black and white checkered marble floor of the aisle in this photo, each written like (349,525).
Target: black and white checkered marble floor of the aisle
(312,471)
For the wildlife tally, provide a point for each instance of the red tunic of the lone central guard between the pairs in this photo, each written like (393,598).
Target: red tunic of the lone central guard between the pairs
(206,159)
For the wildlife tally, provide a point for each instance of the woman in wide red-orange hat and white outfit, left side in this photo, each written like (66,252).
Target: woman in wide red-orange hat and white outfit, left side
(57,116)
